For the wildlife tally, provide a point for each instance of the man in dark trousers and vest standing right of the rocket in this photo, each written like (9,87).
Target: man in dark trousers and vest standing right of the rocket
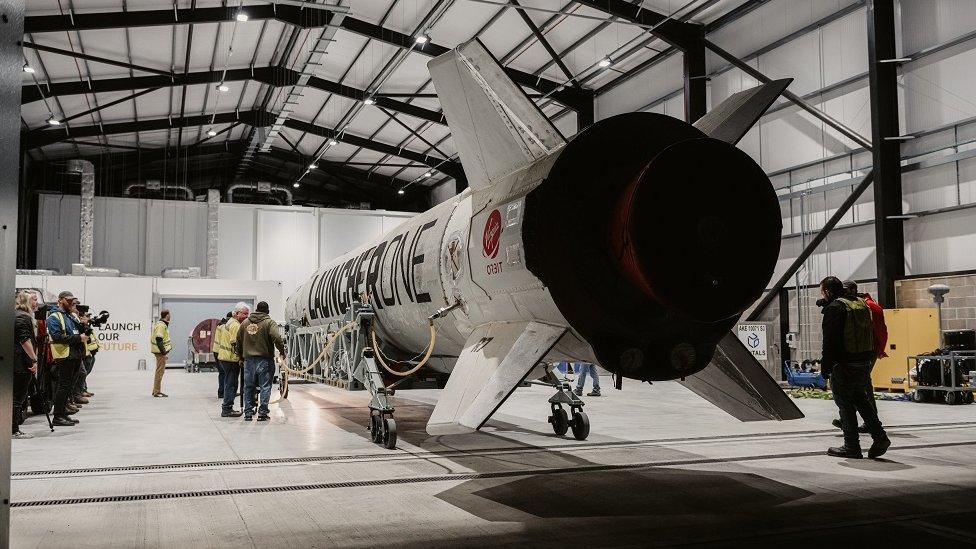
(848,354)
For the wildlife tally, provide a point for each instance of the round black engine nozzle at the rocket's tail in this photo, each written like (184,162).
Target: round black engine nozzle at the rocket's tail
(698,230)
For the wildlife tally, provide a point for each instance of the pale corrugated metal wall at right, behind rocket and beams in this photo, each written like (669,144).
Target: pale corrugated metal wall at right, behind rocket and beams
(821,49)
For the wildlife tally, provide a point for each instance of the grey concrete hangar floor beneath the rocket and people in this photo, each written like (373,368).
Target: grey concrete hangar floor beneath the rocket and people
(661,467)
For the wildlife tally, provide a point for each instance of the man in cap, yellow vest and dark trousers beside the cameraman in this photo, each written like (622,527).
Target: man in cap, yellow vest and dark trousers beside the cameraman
(68,348)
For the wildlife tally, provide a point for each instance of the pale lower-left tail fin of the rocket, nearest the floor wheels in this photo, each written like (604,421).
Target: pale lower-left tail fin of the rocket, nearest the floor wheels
(495,359)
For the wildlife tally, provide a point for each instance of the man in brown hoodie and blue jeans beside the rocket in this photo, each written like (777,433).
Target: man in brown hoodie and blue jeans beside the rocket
(256,341)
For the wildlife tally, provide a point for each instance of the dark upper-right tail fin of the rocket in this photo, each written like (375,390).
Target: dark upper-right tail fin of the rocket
(733,118)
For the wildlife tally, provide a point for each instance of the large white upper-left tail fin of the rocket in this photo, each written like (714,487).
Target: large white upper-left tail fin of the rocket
(496,128)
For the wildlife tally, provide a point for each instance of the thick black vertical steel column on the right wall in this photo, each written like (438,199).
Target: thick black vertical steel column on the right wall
(886,151)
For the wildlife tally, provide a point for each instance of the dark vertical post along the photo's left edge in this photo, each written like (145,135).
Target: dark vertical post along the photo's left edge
(11,69)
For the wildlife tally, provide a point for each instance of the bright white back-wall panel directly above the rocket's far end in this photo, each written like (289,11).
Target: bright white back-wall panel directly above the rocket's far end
(287,245)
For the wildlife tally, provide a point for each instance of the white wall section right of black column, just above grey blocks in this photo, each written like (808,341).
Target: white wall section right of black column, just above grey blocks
(941,243)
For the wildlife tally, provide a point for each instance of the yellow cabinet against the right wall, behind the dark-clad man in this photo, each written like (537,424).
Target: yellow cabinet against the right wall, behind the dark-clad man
(910,333)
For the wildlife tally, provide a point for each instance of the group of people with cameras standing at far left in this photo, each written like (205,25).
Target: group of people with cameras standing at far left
(73,346)
